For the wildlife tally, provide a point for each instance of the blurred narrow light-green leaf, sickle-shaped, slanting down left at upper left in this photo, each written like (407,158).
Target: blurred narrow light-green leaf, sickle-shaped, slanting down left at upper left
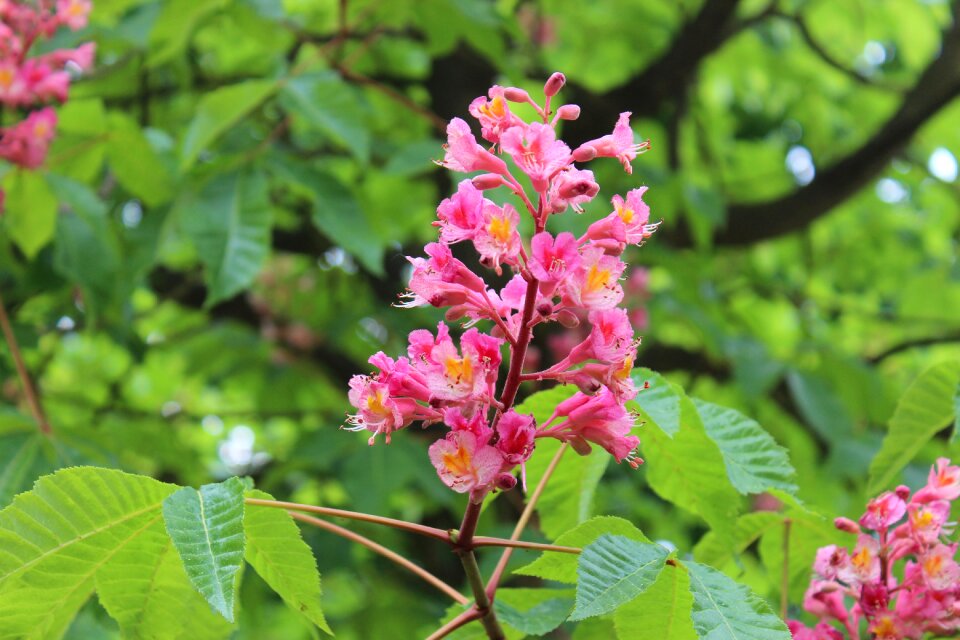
(218,111)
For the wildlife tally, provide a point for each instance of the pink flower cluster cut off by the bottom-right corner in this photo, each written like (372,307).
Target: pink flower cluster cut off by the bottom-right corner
(896,601)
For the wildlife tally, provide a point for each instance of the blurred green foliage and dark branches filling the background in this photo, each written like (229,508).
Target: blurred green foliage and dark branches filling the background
(221,227)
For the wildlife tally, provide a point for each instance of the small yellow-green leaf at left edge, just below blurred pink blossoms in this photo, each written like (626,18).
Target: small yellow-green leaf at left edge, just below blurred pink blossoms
(30,210)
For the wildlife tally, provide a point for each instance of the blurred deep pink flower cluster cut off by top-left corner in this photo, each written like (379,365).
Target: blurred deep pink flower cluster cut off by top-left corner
(33,81)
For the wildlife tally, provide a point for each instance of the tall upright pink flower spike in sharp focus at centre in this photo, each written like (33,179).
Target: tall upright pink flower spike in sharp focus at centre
(554,278)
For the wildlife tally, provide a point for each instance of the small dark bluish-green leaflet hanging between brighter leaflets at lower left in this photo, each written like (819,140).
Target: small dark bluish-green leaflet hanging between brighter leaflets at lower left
(206,527)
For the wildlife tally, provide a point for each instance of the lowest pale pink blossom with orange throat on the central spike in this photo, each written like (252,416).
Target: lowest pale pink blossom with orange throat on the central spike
(465,464)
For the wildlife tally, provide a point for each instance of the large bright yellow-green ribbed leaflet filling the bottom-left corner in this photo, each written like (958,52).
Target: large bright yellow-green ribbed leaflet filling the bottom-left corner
(57,537)
